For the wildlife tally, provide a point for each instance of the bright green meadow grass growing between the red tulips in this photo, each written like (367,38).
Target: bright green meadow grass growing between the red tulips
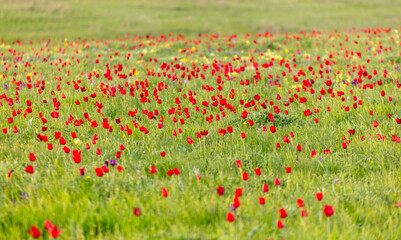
(89,207)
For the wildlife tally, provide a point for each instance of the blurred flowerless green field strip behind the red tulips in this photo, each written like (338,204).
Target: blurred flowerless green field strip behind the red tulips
(109,19)
